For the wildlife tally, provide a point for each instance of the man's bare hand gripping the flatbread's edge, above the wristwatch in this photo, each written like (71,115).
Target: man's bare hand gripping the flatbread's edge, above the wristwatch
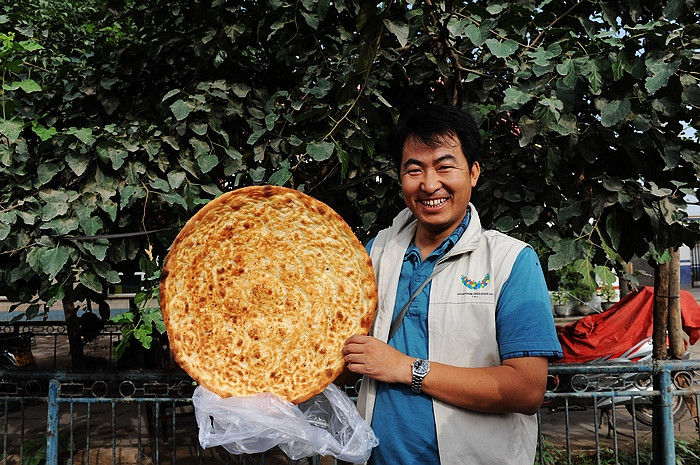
(369,356)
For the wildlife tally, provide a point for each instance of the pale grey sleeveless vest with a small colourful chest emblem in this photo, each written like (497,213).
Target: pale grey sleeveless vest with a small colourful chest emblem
(462,332)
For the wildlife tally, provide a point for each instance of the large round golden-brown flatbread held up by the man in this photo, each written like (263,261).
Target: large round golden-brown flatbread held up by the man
(260,290)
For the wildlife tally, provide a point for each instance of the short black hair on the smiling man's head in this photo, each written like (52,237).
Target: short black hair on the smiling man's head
(429,124)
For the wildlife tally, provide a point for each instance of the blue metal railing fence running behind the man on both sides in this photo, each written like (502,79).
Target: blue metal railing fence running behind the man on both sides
(114,416)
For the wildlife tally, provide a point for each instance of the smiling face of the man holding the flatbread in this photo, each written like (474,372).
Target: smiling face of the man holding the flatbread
(437,183)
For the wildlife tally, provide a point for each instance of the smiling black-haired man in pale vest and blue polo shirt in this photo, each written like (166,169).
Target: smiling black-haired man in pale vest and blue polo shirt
(456,365)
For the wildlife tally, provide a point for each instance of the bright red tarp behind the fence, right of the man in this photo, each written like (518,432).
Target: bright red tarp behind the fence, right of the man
(622,326)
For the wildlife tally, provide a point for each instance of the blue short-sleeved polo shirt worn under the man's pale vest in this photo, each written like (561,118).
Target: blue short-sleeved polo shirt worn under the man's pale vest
(403,421)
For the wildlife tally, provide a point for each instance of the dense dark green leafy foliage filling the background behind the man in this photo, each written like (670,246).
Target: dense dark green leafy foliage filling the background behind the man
(121,118)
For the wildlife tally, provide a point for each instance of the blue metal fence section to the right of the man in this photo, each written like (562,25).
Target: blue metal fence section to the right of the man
(610,407)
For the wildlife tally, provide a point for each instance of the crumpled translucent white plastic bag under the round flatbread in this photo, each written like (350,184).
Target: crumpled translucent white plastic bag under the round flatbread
(327,424)
